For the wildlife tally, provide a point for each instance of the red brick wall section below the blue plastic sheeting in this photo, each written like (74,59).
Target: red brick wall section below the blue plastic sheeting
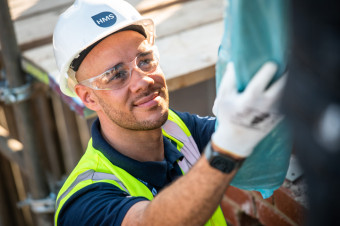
(247,208)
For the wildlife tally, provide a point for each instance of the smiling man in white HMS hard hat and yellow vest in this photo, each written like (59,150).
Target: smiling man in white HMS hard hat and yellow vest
(131,173)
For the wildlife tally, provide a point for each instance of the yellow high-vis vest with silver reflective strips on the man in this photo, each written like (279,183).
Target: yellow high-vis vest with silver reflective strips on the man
(94,167)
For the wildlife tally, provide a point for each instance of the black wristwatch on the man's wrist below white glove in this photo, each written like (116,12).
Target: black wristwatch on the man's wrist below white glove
(222,162)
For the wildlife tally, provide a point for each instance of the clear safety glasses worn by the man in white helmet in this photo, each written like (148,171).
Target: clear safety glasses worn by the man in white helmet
(118,76)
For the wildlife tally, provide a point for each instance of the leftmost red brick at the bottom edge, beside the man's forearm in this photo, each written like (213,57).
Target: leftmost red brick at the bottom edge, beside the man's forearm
(231,211)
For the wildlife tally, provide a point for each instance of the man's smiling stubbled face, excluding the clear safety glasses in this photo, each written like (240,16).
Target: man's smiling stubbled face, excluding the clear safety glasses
(140,105)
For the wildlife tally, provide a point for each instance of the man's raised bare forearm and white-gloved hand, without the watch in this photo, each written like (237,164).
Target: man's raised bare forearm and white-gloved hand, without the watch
(244,120)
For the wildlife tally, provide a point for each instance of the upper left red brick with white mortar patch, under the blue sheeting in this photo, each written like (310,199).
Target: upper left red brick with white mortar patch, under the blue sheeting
(243,198)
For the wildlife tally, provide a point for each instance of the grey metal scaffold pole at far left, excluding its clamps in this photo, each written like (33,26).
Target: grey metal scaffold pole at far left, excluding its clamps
(23,112)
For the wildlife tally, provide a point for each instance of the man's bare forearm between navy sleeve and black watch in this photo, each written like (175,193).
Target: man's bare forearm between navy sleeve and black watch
(191,200)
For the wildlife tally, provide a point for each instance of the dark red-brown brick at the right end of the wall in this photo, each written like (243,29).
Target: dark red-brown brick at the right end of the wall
(286,202)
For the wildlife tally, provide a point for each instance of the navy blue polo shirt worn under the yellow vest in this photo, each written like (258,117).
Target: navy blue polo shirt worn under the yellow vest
(106,204)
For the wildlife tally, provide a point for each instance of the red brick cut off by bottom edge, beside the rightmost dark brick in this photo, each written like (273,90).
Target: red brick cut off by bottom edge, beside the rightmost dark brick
(270,216)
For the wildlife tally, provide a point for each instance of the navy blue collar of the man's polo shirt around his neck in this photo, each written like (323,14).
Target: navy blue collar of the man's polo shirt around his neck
(153,172)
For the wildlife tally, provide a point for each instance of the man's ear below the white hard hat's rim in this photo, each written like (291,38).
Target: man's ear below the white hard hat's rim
(87,96)
